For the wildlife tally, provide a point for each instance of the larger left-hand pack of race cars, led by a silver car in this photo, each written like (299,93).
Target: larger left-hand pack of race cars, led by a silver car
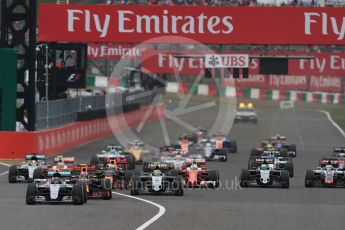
(179,166)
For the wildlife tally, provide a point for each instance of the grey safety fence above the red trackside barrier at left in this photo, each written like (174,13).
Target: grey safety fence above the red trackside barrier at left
(57,113)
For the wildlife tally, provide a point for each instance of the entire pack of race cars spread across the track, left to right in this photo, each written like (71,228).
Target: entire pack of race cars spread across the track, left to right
(181,165)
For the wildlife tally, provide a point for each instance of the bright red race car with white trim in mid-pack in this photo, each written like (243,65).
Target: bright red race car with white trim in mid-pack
(194,176)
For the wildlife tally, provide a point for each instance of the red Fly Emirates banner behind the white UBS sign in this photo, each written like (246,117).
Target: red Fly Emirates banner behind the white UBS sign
(326,63)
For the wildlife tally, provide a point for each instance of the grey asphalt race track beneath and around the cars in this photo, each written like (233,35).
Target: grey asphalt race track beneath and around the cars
(224,208)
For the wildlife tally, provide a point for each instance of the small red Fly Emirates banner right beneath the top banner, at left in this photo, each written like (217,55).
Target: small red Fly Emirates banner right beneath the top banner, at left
(114,51)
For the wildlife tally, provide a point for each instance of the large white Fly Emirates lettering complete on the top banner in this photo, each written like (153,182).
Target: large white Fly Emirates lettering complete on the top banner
(130,22)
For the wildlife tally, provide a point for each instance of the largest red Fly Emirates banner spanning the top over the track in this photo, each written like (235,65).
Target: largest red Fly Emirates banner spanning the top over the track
(212,25)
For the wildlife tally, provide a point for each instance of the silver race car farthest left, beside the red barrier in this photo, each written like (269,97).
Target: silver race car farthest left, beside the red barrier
(25,172)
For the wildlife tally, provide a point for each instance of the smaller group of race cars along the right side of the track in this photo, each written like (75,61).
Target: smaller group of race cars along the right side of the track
(271,164)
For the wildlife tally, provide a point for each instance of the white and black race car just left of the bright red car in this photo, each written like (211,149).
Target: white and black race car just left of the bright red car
(156,183)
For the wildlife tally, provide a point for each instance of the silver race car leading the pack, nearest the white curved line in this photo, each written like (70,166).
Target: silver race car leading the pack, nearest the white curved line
(57,188)
